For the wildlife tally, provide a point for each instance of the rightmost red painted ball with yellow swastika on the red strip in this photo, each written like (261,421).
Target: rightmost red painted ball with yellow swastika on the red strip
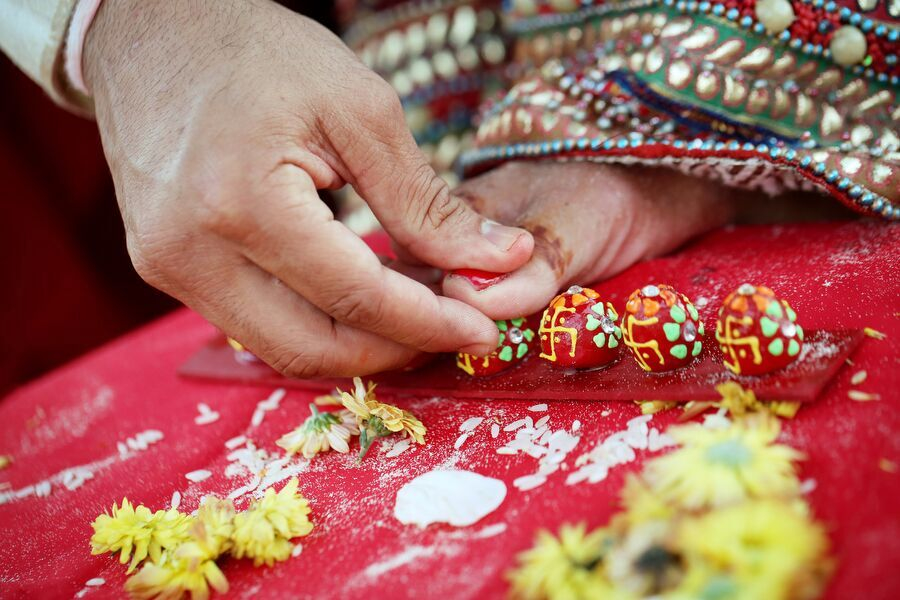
(757,331)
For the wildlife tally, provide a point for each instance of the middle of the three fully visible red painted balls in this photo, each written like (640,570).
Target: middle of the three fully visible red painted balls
(661,328)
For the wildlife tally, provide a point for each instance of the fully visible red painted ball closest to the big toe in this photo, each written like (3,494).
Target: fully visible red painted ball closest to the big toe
(579,330)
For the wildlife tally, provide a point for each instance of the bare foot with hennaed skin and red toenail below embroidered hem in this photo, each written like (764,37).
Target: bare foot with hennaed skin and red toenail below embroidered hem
(589,221)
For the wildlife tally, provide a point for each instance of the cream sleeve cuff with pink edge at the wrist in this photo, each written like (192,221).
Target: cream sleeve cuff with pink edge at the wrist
(32,34)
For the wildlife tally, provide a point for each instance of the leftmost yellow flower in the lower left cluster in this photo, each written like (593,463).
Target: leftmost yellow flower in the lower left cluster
(136,529)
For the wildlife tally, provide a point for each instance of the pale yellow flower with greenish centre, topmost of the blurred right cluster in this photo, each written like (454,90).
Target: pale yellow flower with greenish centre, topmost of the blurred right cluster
(717,467)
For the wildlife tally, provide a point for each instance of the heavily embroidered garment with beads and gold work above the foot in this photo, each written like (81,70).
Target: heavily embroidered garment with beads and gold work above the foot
(770,95)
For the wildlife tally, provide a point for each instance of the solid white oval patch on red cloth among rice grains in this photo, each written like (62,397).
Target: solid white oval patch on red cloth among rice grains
(459,498)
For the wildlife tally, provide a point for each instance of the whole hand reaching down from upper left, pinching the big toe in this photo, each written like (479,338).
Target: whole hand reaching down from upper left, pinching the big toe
(220,121)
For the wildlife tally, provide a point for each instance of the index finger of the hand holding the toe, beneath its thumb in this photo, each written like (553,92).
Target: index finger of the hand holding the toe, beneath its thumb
(295,237)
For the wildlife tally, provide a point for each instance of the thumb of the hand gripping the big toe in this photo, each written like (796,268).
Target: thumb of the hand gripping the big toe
(416,206)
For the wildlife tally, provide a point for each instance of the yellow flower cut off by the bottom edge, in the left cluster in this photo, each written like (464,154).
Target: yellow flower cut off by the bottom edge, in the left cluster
(189,569)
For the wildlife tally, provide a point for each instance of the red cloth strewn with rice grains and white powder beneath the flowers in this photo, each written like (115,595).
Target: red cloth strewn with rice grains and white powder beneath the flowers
(835,275)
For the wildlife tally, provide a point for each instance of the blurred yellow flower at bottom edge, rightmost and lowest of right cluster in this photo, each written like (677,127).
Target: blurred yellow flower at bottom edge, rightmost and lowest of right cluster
(757,549)
